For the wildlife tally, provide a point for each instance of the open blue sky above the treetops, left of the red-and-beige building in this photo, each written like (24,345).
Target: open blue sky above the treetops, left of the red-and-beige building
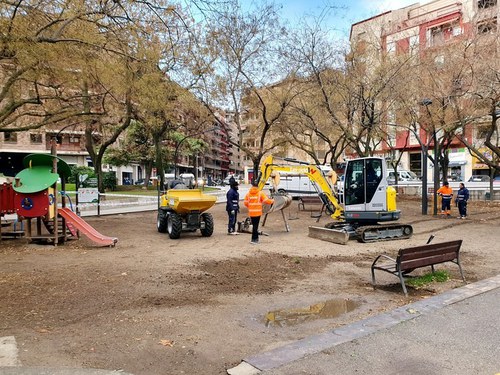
(342,13)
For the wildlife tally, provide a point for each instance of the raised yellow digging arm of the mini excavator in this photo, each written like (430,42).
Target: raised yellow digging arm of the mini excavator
(271,167)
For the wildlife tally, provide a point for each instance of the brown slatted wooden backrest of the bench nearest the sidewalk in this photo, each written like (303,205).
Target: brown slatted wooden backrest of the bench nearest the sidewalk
(427,255)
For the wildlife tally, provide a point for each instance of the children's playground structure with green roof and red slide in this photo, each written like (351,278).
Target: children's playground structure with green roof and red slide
(34,198)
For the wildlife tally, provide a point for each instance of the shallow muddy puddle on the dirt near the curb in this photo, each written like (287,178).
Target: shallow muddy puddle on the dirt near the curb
(324,310)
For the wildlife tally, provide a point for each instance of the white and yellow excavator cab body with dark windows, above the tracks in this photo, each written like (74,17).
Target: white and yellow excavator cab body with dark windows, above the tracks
(367,195)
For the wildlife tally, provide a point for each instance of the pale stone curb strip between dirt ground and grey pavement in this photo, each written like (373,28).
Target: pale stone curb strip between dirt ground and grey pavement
(314,344)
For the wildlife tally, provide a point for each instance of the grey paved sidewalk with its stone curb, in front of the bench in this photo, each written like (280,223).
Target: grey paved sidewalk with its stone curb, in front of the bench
(457,332)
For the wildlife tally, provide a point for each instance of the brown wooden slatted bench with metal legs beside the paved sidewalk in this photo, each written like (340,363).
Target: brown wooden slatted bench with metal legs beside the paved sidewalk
(411,258)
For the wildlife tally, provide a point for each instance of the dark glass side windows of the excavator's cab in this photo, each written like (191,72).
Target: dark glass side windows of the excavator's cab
(362,178)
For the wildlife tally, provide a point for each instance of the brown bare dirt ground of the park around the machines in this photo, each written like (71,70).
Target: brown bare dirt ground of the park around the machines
(198,305)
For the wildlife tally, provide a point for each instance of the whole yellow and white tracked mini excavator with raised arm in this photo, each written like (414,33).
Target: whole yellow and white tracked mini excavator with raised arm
(369,202)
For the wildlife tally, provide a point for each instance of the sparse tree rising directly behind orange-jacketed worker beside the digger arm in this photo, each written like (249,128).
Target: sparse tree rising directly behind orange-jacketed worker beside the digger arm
(238,70)
